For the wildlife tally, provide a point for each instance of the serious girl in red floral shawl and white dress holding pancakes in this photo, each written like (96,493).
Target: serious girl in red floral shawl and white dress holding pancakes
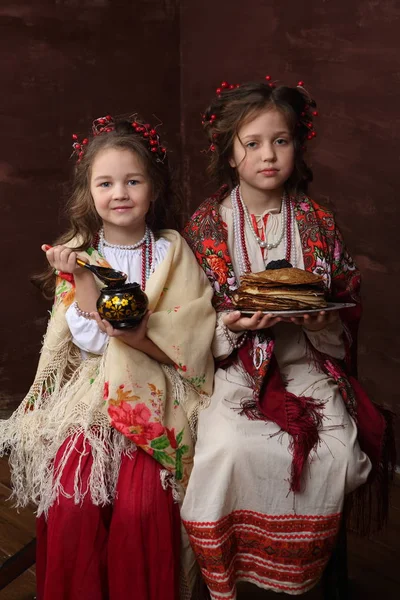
(288,431)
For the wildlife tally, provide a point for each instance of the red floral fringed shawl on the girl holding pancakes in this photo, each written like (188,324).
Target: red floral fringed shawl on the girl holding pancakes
(324,253)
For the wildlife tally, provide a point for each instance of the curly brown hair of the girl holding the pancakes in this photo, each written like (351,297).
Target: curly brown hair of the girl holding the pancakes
(236,105)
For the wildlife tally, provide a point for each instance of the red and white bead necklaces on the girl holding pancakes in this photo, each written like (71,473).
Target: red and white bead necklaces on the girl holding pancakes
(241,216)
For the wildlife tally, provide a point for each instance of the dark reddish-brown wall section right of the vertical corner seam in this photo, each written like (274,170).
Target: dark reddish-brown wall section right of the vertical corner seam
(347,52)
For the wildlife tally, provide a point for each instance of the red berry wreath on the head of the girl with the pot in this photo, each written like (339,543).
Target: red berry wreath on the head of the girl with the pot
(106,124)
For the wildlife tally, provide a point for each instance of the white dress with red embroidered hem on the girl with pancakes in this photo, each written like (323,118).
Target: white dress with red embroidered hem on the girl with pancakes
(242,519)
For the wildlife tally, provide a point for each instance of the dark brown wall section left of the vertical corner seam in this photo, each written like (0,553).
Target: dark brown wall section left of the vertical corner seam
(61,65)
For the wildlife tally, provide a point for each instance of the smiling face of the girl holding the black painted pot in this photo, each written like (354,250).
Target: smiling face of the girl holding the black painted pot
(121,189)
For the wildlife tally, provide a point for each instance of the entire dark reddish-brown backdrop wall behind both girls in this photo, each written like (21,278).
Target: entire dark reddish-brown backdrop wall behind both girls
(63,63)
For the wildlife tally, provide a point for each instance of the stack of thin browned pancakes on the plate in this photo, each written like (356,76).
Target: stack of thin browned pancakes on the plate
(280,289)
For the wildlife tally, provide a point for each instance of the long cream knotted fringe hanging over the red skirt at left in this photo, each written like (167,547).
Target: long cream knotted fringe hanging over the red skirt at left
(44,420)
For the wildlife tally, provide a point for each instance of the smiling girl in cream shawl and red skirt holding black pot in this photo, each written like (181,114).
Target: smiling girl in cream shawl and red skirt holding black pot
(103,442)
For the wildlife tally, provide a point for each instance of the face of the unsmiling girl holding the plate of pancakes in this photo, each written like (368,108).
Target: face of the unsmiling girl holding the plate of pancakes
(263,152)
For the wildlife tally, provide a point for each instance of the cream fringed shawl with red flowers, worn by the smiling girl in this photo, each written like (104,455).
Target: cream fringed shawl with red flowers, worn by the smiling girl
(148,405)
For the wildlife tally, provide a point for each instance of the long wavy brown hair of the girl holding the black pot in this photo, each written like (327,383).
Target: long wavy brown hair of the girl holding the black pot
(83,219)
